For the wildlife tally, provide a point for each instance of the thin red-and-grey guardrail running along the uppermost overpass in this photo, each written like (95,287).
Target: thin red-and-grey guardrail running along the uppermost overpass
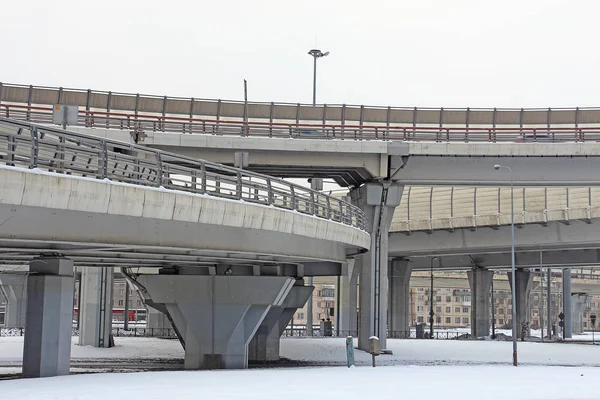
(189,125)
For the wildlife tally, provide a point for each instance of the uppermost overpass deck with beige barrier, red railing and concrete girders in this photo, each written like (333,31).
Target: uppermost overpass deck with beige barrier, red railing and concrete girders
(352,145)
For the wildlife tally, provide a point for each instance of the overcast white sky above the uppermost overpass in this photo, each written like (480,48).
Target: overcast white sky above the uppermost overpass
(404,53)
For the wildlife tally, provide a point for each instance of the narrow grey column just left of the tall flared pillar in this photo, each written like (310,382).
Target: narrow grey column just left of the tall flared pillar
(349,299)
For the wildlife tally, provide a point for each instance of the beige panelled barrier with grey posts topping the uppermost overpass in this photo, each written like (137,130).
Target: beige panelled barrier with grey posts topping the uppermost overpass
(98,100)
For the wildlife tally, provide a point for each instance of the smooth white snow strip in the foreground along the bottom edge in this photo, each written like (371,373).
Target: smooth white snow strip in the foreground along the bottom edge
(408,382)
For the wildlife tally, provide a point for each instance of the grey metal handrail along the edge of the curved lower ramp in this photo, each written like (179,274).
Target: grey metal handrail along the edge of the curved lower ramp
(55,150)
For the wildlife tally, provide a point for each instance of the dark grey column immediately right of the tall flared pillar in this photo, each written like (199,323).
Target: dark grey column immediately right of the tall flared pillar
(399,302)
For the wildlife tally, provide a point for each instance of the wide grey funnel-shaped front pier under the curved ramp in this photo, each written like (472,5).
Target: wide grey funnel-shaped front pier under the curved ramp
(216,316)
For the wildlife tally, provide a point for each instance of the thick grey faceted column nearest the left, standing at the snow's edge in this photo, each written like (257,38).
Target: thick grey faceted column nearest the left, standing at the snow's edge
(47,347)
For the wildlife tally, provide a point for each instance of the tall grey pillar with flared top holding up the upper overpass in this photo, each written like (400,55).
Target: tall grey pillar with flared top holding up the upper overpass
(378,201)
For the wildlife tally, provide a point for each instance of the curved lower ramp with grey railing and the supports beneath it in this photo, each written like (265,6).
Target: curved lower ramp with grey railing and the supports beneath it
(219,250)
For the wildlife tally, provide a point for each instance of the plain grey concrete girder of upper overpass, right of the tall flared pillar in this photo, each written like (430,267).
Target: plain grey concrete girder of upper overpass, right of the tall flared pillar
(443,164)
